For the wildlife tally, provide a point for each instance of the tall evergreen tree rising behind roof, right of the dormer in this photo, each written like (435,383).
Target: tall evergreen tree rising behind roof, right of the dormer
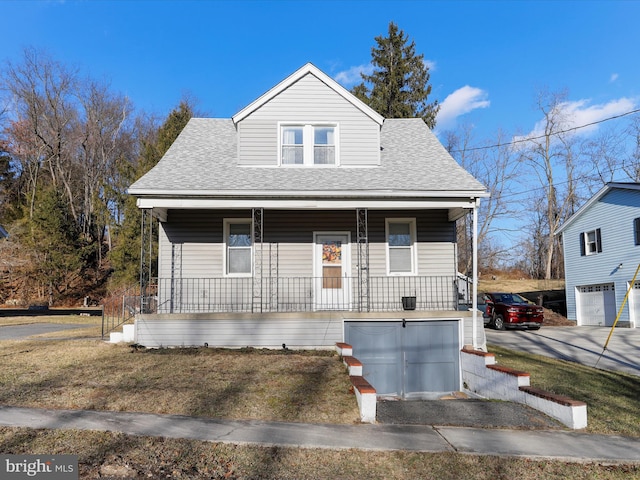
(399,85)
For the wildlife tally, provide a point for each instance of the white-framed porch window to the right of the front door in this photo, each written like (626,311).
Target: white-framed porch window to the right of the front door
(401,246)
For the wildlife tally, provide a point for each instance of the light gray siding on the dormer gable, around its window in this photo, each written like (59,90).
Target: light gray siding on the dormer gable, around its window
(359,135)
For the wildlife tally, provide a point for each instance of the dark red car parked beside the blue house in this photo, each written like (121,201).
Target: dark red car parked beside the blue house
(511,310)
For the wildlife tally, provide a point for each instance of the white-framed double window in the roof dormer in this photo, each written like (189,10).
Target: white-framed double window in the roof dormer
(308,144)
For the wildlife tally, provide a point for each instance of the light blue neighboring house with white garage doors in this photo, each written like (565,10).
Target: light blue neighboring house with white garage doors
(601,244)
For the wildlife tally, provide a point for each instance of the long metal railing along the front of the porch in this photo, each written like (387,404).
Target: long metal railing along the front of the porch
(300,294)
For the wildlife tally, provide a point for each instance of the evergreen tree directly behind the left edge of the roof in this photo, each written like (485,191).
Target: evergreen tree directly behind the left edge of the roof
(125,256)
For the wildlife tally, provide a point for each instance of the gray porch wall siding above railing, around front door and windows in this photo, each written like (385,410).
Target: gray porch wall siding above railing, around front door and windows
(190,242)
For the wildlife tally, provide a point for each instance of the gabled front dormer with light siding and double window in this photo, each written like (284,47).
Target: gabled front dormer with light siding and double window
(308,120)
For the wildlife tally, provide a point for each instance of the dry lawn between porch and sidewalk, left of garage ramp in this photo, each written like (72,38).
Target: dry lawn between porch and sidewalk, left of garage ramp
(249,384)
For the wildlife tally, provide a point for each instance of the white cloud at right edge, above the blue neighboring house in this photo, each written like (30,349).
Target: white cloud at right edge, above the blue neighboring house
(571,115)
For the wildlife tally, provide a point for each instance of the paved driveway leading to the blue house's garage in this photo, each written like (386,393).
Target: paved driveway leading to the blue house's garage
(578,344)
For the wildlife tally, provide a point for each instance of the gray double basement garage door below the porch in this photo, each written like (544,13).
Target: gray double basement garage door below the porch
(407,358)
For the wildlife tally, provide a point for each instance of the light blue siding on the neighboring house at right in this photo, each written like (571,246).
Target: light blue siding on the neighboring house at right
(613,215)
